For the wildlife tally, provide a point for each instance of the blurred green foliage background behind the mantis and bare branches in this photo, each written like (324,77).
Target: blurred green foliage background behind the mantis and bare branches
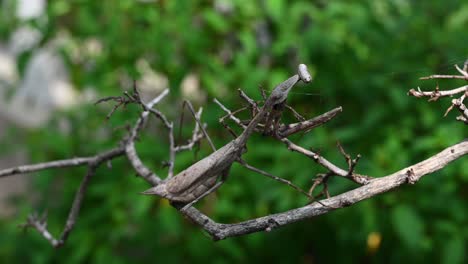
(364,56)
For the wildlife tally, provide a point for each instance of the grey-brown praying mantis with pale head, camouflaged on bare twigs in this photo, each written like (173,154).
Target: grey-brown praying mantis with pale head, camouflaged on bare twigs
(201,178)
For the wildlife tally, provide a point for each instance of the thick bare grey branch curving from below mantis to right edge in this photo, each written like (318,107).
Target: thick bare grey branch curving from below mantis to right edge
(376,186)
